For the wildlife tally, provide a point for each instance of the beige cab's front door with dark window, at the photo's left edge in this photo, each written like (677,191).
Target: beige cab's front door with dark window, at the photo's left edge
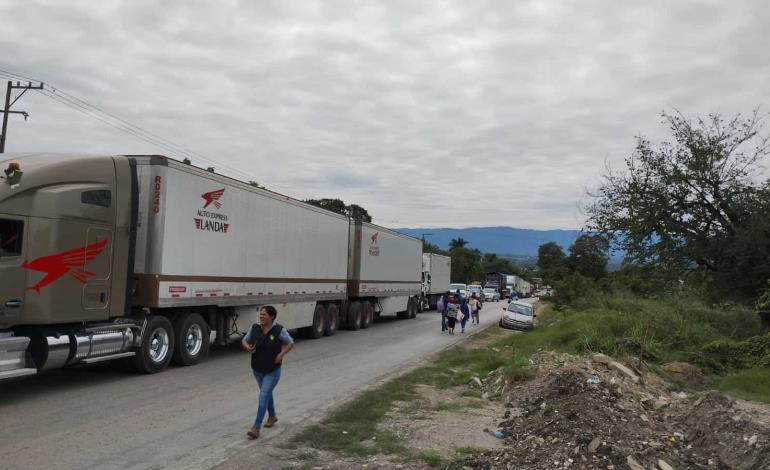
(13,277)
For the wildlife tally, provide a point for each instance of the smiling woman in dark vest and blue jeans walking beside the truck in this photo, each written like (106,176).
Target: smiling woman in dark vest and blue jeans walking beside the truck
(268,342)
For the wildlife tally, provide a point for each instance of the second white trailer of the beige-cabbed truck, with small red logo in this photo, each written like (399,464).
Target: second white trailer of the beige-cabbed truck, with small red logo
(385,270)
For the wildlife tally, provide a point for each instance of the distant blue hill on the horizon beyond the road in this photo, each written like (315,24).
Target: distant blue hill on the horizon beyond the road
(500,240)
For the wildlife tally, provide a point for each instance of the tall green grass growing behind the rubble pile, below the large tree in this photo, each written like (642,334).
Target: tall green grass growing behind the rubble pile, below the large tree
(624,325)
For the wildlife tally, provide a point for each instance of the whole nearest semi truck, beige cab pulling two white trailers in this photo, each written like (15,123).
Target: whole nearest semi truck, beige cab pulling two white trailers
(150,260)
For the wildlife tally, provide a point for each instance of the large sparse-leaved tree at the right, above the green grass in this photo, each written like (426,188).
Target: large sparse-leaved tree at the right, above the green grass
(693,205)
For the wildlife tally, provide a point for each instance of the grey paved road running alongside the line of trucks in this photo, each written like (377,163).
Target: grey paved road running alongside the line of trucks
(196,417)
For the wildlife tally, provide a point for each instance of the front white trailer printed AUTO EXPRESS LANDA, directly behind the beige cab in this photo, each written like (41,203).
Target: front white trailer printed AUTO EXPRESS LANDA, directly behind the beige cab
(205,240)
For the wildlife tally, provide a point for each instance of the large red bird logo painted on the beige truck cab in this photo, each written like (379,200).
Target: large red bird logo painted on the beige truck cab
(72,262)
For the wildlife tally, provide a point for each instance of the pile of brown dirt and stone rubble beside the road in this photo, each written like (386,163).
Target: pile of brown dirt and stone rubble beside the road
(611,414)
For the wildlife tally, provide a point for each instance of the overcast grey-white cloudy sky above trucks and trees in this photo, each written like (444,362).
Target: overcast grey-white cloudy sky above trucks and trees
(433,114)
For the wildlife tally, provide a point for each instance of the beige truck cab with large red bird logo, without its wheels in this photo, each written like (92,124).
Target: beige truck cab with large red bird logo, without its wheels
(64,244)
